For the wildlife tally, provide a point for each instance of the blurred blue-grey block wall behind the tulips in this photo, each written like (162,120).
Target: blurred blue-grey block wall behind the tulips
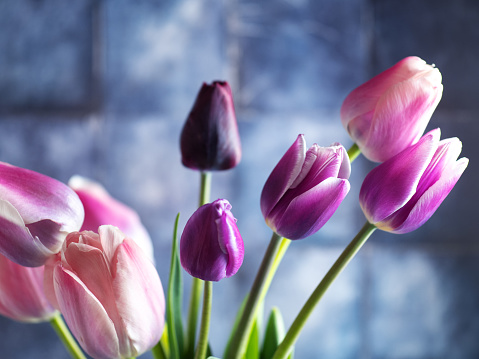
(102,88)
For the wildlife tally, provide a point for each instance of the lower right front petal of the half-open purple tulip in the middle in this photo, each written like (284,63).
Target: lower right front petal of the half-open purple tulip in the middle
(307,213)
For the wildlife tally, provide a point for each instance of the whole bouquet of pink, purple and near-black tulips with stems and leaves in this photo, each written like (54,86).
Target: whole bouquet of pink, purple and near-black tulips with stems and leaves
(76,257)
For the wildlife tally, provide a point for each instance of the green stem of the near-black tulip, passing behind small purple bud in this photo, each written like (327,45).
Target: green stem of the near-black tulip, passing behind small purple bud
(197,284)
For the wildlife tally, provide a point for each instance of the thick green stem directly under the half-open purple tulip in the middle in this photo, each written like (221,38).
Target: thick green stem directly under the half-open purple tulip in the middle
(239,341)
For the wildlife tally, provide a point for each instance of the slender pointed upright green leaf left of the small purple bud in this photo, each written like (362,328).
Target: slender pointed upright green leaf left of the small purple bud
(174,300)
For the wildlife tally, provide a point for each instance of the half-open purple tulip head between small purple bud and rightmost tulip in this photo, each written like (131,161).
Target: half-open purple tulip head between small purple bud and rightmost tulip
(305,189)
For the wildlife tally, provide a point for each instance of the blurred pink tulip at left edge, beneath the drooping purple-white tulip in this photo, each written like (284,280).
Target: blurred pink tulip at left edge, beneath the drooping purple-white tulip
(22,297)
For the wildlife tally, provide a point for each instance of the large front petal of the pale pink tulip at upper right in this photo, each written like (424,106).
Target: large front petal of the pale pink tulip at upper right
(401,117)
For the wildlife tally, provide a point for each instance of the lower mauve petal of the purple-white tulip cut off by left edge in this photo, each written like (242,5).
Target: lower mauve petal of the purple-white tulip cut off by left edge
(16,241)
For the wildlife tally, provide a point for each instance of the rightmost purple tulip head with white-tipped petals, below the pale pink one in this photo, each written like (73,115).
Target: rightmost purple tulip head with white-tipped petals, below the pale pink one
(401,194)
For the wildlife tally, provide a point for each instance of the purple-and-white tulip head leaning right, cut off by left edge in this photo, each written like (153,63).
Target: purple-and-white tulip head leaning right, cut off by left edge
(36,214)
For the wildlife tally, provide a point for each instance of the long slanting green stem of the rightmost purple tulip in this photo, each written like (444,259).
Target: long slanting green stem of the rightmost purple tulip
(293,333)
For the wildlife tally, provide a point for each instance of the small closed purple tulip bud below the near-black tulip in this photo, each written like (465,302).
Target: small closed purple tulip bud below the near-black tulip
(211,247)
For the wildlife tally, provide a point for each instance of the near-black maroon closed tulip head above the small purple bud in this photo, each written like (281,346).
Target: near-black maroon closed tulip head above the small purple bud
(210,138)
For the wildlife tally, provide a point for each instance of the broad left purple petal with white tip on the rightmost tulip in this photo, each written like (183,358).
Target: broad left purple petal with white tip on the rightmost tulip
(391,185)
